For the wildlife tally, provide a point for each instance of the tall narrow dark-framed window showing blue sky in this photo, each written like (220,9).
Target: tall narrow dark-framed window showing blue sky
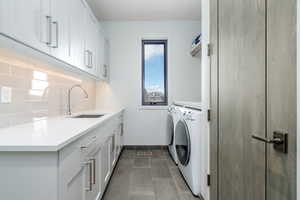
(154,72)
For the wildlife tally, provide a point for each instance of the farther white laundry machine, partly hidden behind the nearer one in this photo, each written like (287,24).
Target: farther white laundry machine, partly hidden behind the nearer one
(172,120)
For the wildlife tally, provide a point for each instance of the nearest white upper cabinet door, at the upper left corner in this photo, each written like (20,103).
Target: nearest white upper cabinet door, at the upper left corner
(30,21)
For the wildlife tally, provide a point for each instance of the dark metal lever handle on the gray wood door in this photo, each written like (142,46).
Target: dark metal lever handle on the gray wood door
(279,141)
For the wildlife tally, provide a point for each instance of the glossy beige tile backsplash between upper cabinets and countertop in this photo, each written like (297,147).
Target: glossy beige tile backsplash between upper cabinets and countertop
(39,92)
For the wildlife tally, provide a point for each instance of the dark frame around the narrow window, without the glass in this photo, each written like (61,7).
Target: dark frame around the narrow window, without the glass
(158,42)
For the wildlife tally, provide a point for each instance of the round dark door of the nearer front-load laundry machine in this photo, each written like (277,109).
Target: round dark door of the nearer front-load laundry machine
(183,143)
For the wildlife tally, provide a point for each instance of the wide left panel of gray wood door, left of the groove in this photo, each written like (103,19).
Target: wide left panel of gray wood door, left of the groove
(241,99)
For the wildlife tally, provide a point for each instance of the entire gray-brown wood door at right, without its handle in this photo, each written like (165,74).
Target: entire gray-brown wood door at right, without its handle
(256,72)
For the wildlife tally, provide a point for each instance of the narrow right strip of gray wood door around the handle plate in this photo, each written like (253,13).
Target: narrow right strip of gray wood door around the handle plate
(281,97)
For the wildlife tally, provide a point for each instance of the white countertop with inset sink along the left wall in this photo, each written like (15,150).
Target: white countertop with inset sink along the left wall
(50,134)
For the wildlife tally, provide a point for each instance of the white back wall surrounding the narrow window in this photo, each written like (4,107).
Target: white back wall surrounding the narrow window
(145,126)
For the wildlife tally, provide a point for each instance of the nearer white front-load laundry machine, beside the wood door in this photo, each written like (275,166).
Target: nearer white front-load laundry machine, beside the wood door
(192,150)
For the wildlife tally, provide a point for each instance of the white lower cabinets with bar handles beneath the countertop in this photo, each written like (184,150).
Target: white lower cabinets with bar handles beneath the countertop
(79,171)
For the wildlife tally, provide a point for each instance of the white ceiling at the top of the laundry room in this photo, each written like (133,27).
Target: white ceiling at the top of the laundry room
(146,9)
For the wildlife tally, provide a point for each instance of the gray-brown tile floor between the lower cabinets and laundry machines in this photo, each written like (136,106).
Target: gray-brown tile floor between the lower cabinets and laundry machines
(148,174)
